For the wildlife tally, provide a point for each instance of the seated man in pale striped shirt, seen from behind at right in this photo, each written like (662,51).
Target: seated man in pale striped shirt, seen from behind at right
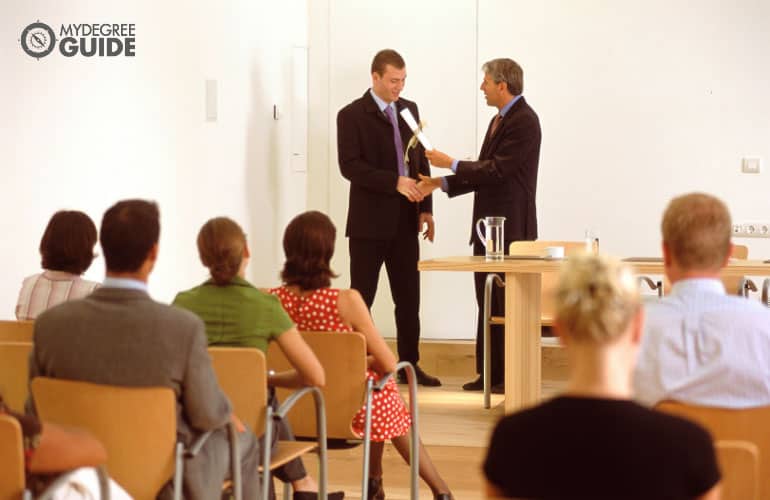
(700,345)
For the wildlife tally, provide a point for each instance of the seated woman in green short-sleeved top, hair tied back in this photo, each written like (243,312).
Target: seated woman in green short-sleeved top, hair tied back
(237,314)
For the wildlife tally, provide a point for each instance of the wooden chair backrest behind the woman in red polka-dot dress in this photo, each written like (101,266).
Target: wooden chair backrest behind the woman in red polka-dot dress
(343,357)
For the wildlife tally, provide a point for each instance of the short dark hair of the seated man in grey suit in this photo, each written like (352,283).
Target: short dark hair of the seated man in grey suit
(130,229)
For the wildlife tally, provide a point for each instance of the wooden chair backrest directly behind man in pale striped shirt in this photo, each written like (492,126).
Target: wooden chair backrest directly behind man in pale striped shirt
(746,424)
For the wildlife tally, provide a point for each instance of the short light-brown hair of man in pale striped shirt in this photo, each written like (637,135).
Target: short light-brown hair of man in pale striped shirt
(696,230)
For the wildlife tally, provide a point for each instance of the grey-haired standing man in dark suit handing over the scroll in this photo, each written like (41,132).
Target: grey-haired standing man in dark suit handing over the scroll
(503,182)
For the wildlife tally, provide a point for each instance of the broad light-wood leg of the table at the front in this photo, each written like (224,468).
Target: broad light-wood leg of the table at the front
(522,340)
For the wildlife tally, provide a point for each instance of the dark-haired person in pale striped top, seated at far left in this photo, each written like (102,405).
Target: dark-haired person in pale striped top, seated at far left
(67,249)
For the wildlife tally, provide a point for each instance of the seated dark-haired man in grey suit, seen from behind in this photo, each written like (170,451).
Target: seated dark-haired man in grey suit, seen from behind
(120,336)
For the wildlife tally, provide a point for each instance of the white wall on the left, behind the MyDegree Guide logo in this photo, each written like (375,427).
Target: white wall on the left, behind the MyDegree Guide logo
(82,133)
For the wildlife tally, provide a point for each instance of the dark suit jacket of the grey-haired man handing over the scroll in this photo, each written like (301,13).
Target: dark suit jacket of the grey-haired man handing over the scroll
(504,179)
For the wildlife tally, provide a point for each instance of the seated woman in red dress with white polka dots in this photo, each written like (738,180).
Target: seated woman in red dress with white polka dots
(306,295)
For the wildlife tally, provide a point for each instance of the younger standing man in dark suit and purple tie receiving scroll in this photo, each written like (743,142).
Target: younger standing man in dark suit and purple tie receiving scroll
(386,211)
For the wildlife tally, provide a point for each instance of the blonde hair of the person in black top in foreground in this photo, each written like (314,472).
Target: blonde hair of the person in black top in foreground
(596,298)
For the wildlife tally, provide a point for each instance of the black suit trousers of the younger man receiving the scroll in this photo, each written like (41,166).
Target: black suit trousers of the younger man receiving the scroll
(400,255)
